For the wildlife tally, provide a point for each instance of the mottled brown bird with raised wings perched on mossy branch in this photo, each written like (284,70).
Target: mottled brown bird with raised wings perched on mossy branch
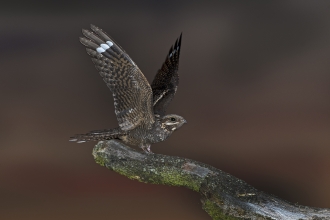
(140,108)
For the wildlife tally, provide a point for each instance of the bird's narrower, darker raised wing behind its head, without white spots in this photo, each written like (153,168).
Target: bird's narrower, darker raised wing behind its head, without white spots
(166,80)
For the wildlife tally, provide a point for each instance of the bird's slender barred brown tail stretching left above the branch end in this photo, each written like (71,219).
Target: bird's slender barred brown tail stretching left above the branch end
(98,135)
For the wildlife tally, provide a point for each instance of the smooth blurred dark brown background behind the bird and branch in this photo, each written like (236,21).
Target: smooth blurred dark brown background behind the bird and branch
(255,90)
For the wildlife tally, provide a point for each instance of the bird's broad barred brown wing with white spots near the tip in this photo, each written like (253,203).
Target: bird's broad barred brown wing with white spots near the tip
(131,91)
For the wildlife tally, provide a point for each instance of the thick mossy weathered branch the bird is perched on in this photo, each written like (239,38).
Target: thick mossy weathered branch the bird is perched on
(223,196)
